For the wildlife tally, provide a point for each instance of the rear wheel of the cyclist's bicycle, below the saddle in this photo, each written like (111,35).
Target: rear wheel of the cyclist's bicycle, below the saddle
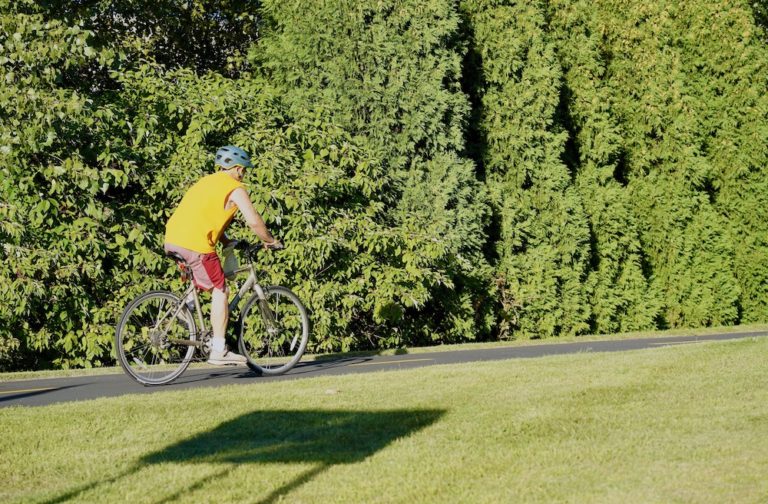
(152,345)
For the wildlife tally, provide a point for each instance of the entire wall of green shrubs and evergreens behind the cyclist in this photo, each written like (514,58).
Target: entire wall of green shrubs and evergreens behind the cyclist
(441,170)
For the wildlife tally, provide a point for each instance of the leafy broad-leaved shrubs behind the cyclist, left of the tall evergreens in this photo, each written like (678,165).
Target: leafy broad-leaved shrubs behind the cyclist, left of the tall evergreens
(97,171)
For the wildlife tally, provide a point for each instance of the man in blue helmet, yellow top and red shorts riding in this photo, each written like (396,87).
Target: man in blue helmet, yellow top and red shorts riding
(199,222)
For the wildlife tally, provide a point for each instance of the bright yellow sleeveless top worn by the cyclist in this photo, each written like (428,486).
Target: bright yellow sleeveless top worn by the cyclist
(200,219)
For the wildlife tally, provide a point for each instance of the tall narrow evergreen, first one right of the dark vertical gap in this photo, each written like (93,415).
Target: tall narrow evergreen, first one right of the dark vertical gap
(544,238)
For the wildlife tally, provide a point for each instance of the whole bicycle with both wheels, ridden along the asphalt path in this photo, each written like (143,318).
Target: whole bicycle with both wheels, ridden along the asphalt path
(157,334)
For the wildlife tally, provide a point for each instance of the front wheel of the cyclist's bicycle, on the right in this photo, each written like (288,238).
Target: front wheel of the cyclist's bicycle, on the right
(273,332)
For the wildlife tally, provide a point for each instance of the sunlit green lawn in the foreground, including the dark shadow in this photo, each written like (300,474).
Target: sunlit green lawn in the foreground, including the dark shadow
(687,423)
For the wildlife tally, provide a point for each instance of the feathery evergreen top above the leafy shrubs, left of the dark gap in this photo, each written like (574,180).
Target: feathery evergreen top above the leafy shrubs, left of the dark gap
(389,71)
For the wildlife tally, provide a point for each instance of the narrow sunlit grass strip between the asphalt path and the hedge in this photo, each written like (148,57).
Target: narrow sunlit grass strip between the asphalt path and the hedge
(669,333)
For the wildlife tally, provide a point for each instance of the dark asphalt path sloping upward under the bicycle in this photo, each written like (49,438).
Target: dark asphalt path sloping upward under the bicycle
(55,390)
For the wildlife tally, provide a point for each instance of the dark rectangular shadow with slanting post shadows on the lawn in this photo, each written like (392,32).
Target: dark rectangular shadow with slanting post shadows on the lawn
(321,438)
